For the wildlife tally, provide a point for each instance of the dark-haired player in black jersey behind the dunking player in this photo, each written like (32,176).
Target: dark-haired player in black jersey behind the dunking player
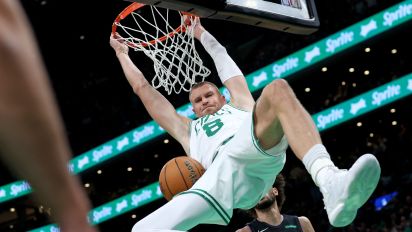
(268,217)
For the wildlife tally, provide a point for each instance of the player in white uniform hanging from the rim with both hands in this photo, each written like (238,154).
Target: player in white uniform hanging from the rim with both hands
(242,145)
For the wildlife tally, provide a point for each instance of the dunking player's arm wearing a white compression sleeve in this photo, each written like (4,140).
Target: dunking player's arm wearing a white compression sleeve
(229,73)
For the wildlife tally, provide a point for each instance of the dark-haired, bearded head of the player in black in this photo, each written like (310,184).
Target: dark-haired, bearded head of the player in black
(275,196)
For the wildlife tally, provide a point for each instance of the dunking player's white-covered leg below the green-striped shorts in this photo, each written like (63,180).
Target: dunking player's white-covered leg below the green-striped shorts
(182,213)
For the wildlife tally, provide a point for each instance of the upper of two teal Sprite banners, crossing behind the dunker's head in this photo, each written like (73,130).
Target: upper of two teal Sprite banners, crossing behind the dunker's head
(330,46)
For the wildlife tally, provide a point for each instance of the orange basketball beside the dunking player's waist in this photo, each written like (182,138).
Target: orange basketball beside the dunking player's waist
(179,174)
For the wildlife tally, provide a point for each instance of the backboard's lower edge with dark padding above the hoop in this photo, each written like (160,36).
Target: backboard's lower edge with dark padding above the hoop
(291,16)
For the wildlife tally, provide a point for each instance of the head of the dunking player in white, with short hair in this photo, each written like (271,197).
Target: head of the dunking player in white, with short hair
(206,98)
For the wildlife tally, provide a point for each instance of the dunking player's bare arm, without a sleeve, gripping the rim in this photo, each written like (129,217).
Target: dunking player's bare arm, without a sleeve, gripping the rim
(159,108)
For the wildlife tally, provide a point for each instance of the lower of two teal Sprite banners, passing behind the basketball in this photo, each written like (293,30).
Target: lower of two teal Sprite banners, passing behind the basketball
(324,120)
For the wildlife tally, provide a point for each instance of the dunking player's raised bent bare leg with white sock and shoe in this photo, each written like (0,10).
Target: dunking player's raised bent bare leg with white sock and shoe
(344,191)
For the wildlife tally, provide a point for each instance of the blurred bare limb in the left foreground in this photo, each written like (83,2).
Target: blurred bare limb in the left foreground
(32,139)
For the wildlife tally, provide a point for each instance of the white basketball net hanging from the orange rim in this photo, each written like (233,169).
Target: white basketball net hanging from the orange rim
(176,63)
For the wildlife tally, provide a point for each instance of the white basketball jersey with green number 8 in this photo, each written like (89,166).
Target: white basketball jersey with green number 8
(210,132)
